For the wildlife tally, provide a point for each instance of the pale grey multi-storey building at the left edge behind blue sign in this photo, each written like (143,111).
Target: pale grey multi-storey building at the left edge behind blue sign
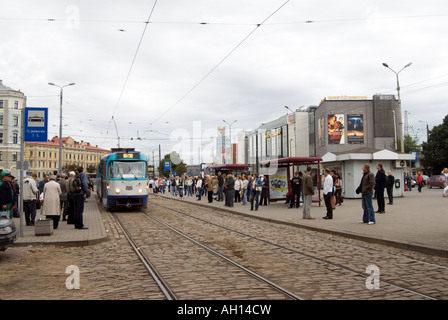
(12,102)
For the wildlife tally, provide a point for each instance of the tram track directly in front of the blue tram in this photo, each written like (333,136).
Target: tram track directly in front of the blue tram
(163,281)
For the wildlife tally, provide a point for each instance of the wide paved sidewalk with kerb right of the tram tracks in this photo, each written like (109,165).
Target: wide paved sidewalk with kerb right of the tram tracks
(417,221)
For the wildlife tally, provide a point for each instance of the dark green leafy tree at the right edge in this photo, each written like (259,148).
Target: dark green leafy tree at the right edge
(435,151)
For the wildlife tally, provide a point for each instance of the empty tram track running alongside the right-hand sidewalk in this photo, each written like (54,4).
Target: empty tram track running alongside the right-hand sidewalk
(394,282)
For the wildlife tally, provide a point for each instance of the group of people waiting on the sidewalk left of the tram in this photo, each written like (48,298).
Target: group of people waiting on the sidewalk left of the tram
(56,195)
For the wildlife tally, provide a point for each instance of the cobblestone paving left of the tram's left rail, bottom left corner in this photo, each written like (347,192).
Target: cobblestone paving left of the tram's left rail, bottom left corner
(107,270)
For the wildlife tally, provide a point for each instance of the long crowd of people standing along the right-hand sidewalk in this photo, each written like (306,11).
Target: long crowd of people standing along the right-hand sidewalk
(255,189)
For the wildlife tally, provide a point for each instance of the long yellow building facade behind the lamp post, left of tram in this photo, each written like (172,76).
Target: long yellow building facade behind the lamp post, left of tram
(43,157)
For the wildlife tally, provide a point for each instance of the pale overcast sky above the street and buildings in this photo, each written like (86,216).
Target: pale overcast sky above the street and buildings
(200,62)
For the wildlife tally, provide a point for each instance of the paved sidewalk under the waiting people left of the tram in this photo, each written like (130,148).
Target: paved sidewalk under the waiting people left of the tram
(66,233)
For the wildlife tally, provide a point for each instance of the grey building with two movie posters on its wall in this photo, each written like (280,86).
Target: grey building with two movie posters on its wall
(344,123)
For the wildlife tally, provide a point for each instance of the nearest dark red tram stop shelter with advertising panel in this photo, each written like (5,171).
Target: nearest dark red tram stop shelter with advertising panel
(280,172)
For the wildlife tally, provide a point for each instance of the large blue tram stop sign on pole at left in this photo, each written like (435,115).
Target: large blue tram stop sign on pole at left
(36,125)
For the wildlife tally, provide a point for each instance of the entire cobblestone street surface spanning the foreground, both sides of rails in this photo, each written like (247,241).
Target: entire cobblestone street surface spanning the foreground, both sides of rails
(289,256)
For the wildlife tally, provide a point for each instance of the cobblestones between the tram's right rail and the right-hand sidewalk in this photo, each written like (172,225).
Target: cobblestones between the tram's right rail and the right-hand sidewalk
(311,264)
